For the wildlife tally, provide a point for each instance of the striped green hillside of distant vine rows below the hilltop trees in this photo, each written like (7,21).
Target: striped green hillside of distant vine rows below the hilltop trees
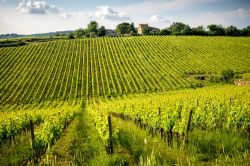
(76,69)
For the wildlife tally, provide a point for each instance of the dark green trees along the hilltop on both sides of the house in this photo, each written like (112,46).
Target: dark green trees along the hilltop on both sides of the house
(176,28)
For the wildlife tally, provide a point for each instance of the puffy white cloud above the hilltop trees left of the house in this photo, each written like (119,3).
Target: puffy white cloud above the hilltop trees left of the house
(105,12)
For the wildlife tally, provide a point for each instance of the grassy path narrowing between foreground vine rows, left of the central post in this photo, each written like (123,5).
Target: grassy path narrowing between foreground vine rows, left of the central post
(80,144)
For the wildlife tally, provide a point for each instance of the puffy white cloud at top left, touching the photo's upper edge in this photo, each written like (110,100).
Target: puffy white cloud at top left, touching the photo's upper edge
(37,7)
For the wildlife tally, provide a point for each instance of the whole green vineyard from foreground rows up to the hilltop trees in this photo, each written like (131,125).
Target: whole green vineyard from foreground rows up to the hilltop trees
(59,95)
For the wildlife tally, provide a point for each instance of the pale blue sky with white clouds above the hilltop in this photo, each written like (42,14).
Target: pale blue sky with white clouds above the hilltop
(40,16)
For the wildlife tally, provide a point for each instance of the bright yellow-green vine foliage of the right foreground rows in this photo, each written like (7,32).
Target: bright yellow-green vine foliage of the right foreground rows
(228,105)
